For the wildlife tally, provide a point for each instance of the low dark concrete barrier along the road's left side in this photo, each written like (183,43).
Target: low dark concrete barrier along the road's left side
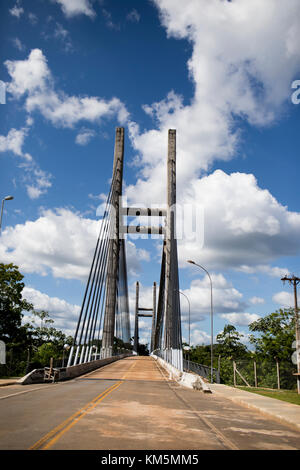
(67,373)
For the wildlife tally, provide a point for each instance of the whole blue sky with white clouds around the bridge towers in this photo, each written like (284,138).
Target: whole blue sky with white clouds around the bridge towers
(221,74)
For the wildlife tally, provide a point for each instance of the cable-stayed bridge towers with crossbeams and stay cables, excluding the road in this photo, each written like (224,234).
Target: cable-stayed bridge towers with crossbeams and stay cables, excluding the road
(104,320)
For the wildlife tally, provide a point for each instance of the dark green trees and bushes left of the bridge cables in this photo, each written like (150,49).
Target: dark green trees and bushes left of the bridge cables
(31,345)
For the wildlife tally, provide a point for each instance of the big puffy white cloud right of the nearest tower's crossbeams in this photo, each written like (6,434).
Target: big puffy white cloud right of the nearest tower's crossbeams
(244,226)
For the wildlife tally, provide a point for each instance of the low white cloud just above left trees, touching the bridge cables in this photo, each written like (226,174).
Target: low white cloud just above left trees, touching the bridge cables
(64,314)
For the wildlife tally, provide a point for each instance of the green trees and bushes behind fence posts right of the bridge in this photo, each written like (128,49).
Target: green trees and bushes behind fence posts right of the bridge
(273,337)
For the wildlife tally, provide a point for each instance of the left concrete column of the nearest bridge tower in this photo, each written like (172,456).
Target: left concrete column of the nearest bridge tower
(114,247)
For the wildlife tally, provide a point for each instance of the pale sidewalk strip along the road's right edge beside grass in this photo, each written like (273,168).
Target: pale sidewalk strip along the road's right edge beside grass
(286,413)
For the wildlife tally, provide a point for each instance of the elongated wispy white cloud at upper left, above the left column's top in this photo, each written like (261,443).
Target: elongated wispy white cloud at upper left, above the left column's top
(32,79)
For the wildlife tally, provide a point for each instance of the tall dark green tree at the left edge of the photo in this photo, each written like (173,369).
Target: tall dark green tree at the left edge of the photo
(12,303)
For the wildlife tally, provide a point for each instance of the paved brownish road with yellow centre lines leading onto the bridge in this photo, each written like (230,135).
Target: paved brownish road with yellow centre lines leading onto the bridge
(131,405)
